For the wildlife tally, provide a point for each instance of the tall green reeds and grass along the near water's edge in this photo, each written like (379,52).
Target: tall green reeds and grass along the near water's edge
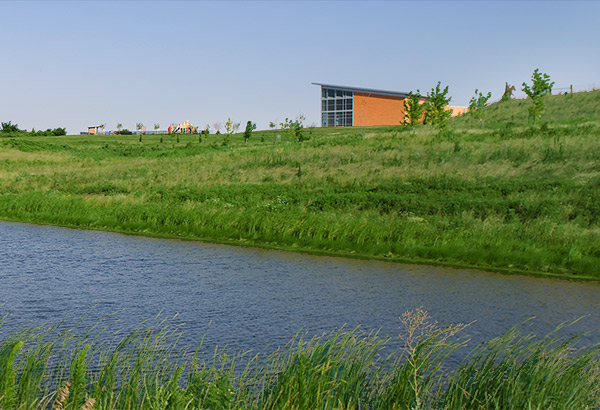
(51,367)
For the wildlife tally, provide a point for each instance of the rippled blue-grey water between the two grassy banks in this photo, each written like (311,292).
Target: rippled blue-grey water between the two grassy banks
(254,299)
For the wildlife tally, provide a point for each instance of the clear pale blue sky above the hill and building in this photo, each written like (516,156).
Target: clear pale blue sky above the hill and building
(73,64)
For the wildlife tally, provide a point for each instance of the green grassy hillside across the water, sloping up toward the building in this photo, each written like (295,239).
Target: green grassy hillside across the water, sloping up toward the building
(497,194)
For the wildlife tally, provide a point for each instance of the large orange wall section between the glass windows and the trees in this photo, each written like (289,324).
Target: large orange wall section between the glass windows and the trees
(372,109)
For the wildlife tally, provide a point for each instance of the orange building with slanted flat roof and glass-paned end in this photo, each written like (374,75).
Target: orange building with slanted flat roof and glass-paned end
(343,106)
